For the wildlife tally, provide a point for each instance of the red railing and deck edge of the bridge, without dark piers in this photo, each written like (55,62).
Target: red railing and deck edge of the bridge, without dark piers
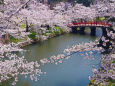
(96,24)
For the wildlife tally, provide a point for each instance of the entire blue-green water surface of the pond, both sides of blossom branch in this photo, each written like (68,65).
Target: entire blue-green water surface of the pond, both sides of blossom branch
(72,72)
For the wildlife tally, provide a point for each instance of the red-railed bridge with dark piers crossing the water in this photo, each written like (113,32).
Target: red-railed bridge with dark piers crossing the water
(79,27)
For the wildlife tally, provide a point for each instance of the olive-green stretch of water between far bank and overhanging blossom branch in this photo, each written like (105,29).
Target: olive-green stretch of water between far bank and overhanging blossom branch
(54,46)
